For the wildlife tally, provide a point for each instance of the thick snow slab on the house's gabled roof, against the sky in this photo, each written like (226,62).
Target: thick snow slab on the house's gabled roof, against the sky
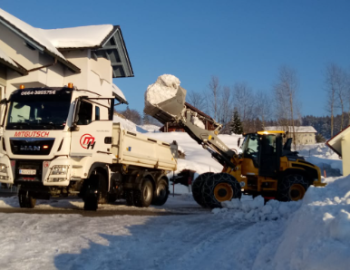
(78,37)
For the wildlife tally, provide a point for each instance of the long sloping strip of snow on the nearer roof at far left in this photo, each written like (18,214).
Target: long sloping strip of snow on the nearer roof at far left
(35,33)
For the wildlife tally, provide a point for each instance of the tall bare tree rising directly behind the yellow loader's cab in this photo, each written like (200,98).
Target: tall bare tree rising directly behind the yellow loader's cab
(285,92)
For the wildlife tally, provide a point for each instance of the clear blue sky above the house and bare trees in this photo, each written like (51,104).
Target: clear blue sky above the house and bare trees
(237,41)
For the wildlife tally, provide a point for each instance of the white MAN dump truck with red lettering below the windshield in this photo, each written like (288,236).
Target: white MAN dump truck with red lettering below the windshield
(59,141)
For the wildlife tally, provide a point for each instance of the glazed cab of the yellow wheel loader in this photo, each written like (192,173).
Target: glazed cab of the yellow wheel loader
(262,150)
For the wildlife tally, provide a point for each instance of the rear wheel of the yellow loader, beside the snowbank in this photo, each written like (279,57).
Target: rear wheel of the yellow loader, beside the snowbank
(292,187)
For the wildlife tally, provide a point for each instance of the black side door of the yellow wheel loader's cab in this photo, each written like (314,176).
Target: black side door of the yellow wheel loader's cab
(269,155)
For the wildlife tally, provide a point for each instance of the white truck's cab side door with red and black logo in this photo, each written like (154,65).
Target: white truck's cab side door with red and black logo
(92,126)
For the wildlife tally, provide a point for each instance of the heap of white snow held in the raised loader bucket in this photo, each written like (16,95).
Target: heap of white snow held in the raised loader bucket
(163,89)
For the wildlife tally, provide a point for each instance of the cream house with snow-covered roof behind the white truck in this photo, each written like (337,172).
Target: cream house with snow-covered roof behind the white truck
(90,57)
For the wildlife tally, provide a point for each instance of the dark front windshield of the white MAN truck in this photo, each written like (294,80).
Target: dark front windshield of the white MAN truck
(39,111)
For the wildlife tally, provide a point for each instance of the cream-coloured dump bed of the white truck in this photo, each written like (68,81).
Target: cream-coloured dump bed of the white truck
(136,149)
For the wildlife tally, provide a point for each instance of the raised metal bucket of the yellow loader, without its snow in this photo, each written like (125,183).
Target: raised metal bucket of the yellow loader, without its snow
(168,110)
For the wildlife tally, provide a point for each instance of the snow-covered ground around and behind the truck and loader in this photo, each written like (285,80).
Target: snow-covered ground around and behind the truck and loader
(310,234)
